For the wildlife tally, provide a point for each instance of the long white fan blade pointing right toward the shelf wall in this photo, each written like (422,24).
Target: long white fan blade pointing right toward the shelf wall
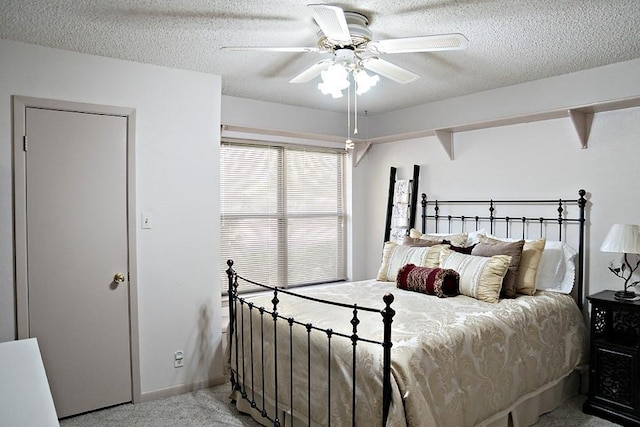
(454,41)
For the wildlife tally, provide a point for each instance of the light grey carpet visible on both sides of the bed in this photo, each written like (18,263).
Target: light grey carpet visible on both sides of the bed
(211,407)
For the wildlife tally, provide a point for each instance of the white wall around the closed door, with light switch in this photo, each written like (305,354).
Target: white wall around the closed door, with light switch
(177,157)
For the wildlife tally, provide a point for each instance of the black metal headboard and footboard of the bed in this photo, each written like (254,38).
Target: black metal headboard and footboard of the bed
(237,302)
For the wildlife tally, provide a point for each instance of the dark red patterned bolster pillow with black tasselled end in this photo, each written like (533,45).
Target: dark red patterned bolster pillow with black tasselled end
(441,282)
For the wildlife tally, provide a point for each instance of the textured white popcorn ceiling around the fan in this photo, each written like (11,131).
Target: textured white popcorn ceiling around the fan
(510,41)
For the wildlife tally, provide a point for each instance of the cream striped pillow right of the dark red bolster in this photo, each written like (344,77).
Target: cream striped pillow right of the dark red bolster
(480,277)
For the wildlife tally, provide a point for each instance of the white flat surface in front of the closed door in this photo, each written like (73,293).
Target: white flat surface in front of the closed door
(25,396)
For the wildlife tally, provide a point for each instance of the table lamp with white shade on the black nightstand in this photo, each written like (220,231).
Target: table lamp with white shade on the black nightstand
(623,238)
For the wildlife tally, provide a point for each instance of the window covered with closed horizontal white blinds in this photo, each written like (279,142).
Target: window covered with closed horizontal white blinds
(282,216)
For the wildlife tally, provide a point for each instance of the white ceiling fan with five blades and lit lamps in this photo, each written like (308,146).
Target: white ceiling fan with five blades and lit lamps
(346,36)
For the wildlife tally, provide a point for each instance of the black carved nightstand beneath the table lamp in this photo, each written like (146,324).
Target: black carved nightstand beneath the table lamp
(614,372)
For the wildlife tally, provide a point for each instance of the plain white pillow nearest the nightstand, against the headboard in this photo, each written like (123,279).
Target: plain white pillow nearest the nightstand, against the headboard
(557,268)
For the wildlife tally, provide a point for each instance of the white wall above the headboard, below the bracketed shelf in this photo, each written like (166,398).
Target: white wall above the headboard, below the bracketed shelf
(532,160)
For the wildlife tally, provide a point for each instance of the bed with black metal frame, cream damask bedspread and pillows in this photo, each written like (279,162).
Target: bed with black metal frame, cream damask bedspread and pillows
(368,353)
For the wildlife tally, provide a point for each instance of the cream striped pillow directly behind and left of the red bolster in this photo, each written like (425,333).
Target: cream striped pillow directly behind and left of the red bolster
(395,256)
